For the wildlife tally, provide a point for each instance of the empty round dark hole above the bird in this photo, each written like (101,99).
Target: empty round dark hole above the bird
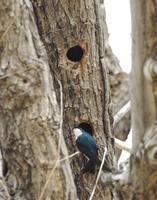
(75,53)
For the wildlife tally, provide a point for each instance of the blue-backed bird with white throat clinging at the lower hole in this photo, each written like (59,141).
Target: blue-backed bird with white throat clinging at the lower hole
(88,146)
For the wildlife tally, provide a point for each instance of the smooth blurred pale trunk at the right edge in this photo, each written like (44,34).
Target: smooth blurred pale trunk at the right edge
(139,181)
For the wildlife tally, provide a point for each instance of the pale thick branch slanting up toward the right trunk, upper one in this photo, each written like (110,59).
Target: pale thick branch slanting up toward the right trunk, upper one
(122,112)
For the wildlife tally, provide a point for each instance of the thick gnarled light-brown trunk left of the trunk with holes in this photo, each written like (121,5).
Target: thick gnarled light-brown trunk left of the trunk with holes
(29,111)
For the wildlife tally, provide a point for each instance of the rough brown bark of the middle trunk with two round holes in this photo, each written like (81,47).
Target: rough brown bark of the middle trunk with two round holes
(62,25)
